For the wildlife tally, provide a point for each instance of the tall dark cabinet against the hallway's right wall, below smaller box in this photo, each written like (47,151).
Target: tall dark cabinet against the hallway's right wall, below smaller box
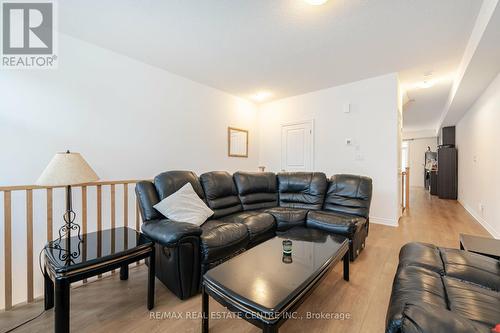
(447,186)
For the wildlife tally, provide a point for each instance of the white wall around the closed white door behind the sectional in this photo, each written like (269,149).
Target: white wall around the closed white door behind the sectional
(372,125)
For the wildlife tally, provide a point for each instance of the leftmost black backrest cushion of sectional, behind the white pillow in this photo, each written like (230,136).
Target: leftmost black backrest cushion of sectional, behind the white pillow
(170,182)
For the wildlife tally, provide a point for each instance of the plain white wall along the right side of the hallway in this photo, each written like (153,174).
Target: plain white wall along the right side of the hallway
(478,143)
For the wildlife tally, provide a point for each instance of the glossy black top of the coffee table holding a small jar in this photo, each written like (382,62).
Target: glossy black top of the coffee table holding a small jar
(262,277)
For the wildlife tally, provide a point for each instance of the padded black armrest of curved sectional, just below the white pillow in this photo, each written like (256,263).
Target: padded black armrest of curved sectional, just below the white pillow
(167,232)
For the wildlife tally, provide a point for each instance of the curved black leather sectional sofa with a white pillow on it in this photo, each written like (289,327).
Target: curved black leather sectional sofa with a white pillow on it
(249,208)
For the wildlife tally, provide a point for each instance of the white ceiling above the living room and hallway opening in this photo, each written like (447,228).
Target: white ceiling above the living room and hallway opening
(284,46)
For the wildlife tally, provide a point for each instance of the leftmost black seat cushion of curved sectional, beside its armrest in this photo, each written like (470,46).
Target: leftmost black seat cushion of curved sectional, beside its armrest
(220,240)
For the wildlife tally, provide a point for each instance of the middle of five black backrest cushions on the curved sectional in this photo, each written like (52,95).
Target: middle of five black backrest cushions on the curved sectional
(257,190)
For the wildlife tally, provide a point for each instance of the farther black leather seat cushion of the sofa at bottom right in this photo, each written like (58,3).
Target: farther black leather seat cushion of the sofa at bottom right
(472,267)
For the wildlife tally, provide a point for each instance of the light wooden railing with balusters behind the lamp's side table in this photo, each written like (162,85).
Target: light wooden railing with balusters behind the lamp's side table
(30,216)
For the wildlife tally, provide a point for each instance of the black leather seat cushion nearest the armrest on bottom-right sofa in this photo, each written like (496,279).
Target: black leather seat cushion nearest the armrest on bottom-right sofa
(474,302)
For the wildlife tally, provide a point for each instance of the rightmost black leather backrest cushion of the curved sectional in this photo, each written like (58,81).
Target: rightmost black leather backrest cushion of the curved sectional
(349,194)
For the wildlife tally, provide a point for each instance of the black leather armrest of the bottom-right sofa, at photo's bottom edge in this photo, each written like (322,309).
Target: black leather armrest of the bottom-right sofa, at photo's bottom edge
(426,318)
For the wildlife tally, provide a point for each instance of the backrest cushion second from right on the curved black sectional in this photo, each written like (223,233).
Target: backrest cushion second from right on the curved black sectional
(302,189)
